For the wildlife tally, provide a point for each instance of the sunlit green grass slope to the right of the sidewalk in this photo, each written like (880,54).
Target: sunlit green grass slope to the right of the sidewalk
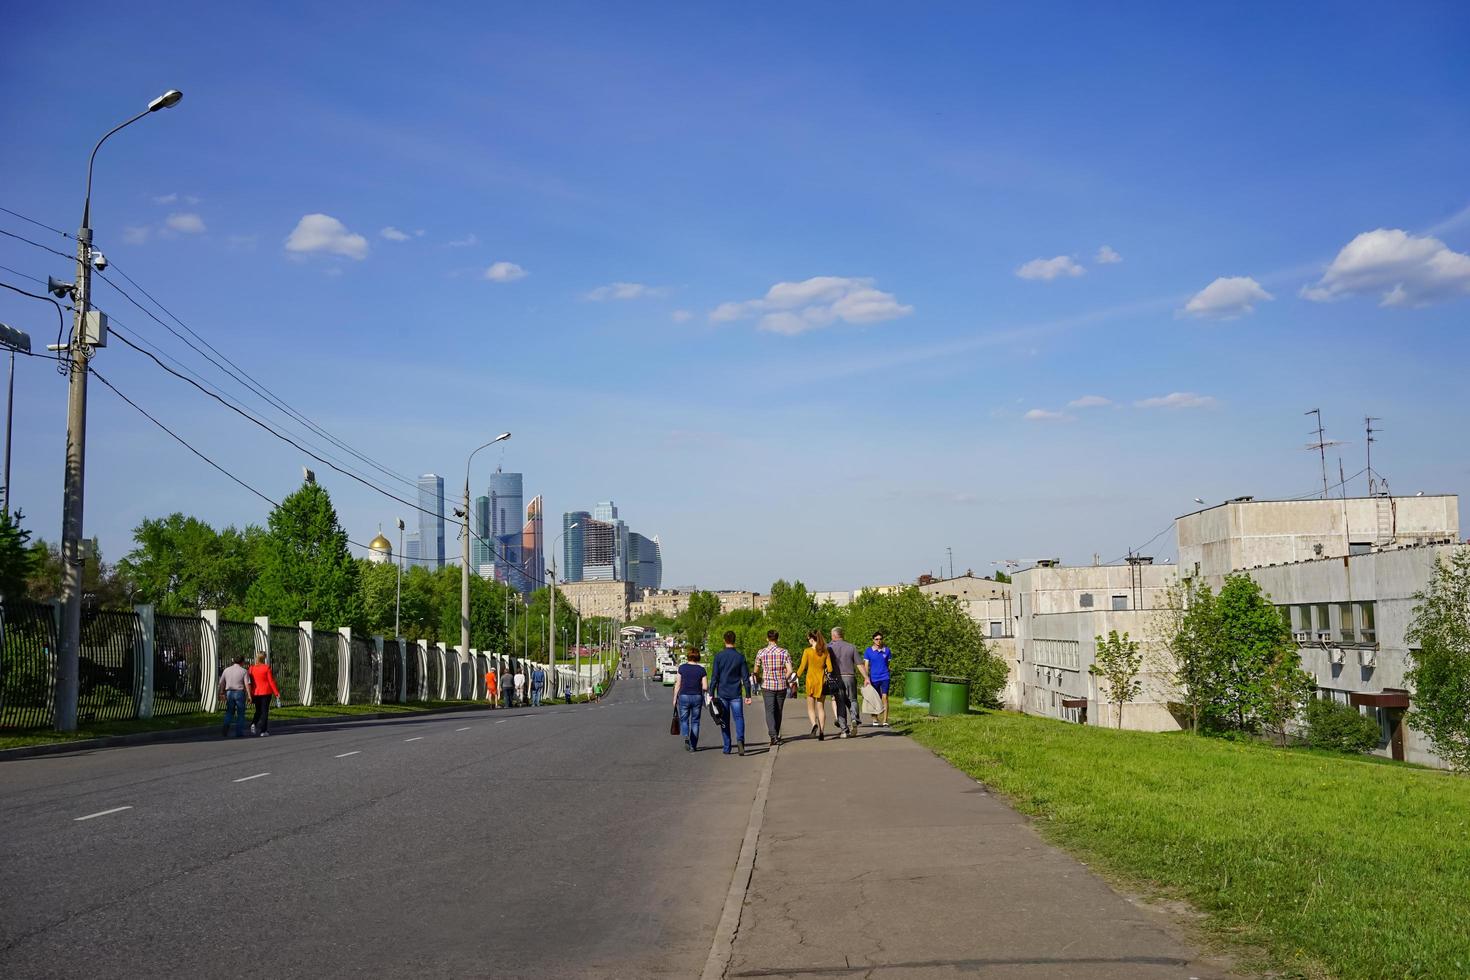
(1330,865)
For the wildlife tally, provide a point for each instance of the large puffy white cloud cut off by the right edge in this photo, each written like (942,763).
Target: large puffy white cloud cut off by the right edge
(1406,270)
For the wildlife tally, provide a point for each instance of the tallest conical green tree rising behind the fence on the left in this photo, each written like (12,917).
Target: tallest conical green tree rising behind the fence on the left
(306,571)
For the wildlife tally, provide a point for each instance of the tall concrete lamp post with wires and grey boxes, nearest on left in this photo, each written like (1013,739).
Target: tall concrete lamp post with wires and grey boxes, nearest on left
(89,330)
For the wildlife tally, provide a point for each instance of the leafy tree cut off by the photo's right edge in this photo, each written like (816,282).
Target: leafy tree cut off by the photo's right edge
(1440,660)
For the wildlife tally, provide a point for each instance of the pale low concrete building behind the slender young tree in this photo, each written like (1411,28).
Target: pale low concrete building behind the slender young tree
(1059,615)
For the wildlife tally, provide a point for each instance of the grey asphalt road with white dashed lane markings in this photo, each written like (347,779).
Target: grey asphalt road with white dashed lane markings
(559,843)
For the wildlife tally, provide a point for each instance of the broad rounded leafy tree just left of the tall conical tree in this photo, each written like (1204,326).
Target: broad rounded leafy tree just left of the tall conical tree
(183,566)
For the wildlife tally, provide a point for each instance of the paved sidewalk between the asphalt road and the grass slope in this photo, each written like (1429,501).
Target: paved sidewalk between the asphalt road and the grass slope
(877,859)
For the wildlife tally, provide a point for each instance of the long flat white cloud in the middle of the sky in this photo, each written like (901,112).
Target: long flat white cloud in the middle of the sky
(795,308)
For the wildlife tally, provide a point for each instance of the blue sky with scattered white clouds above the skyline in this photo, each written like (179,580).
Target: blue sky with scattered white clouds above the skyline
(811,290)
